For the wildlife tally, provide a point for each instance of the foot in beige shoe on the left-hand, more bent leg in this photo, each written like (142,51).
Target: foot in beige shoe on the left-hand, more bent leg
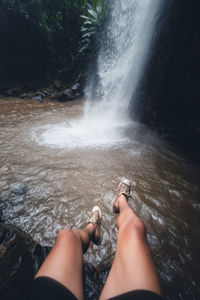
(96,221)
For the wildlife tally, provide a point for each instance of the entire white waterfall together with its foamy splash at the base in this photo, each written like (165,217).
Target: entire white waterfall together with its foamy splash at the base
(124,52)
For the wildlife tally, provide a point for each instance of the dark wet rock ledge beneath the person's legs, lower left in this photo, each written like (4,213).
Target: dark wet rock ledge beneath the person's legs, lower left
(20,258)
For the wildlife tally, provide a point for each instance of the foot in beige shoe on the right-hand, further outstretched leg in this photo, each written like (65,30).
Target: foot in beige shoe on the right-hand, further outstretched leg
(124,189)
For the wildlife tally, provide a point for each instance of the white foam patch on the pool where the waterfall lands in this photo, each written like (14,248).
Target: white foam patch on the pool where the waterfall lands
(82,133)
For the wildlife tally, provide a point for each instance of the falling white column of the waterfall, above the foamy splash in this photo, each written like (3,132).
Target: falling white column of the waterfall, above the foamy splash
(124,51)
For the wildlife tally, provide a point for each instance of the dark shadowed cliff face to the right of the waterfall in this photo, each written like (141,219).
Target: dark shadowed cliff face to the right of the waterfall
(169,98)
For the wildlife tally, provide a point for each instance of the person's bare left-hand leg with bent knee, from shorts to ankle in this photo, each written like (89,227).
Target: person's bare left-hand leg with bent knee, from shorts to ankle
(65,261)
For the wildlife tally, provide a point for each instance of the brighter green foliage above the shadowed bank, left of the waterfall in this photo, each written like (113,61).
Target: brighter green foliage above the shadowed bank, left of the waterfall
(68,26)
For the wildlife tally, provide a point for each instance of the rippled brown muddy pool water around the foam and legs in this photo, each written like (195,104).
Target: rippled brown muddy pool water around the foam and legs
(62,184)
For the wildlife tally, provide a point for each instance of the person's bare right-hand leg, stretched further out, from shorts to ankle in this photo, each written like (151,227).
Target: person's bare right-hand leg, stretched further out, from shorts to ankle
(133,267)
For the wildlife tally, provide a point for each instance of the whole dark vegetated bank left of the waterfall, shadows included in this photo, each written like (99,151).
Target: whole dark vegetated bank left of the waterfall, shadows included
(44,40)
